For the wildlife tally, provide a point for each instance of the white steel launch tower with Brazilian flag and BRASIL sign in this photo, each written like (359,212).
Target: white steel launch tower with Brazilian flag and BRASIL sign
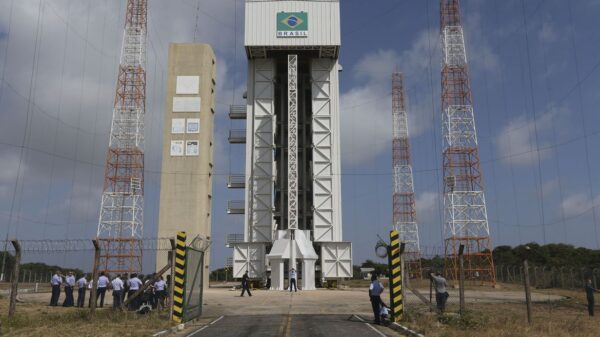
(293,206)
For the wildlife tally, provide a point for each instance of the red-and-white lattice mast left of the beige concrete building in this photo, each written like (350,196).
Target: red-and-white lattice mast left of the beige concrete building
(121,225)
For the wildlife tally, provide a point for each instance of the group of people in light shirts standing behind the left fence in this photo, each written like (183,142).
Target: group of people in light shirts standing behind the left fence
(122,286)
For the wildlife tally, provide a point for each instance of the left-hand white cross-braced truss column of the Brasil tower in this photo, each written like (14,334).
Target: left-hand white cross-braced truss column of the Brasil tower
(260,179)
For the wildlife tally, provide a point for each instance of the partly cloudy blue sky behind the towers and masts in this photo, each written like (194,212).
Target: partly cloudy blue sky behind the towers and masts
(534,76)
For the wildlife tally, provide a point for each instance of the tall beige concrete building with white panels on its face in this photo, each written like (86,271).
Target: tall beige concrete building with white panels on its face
(187,156)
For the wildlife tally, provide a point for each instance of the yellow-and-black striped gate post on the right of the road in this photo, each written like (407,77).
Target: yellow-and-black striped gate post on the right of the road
(396,300)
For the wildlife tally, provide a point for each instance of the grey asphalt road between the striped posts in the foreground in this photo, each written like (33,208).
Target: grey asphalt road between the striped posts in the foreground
(292,326)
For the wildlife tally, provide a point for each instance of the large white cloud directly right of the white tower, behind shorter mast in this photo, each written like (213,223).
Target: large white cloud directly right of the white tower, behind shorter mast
(366,108)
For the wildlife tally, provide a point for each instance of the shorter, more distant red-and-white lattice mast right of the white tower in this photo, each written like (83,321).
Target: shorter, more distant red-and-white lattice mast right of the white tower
(405,212)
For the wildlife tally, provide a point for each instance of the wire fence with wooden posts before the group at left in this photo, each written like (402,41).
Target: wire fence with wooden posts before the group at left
(37,261)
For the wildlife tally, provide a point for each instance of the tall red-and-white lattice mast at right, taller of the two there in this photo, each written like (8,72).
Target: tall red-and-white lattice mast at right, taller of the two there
(465,214)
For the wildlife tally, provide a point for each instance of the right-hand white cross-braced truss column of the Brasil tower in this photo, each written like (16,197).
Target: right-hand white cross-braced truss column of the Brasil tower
(324,224)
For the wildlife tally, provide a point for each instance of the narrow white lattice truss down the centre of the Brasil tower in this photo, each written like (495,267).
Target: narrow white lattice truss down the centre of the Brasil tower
(292,142)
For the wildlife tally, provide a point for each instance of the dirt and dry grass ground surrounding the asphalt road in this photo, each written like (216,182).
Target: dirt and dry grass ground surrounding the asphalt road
(491,312)
